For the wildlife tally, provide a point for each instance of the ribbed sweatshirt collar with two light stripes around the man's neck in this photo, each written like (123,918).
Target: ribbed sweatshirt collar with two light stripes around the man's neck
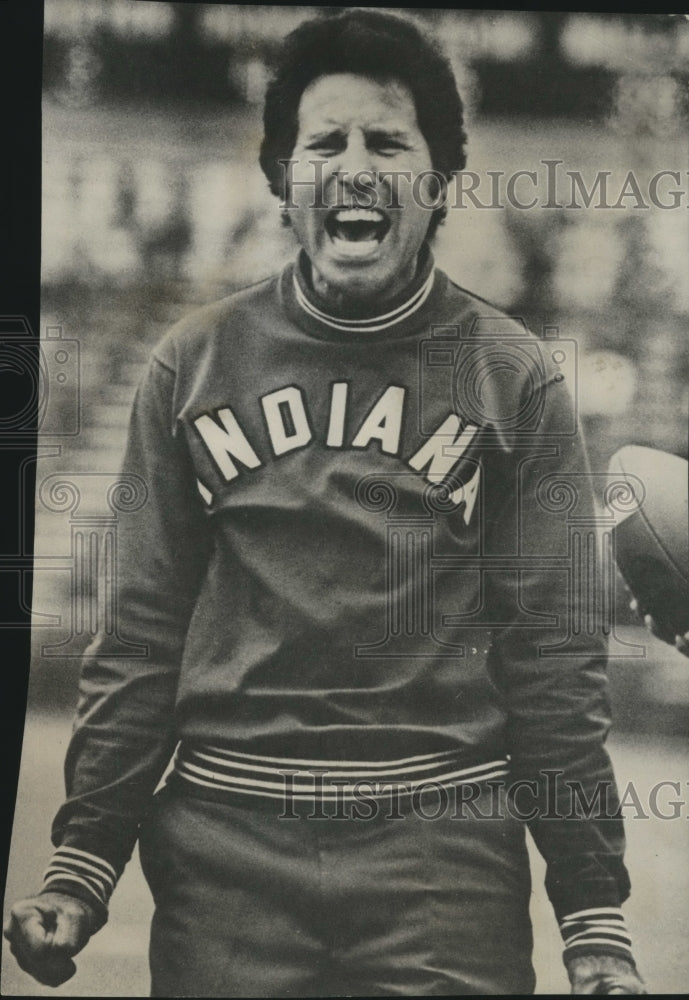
(400,317)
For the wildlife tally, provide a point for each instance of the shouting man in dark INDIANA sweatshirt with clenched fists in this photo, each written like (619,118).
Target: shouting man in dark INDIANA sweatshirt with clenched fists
(343,581)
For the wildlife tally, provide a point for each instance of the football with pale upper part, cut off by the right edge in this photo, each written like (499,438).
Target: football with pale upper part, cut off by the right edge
(648,492)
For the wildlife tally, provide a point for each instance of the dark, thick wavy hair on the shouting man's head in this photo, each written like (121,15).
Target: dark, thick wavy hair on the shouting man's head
(377,45)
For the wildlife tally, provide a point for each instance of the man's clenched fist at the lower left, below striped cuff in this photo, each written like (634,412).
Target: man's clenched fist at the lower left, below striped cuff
(46,931)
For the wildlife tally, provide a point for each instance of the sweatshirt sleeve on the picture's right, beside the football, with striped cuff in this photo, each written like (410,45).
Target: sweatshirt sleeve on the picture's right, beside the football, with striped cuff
(548,659)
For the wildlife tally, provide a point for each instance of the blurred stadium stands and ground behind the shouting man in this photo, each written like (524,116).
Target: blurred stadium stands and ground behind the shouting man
(153,202)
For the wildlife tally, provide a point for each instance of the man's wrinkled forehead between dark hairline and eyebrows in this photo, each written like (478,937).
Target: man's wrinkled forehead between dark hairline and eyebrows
(341,101)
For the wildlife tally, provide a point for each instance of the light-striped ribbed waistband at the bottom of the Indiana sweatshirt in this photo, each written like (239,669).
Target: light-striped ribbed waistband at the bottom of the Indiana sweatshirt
(217,769)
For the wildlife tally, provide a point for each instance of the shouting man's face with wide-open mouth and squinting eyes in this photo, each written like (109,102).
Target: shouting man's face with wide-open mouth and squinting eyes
(359,128)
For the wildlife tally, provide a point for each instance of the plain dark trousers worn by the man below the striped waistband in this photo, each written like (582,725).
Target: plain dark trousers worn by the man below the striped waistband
(251,904)
